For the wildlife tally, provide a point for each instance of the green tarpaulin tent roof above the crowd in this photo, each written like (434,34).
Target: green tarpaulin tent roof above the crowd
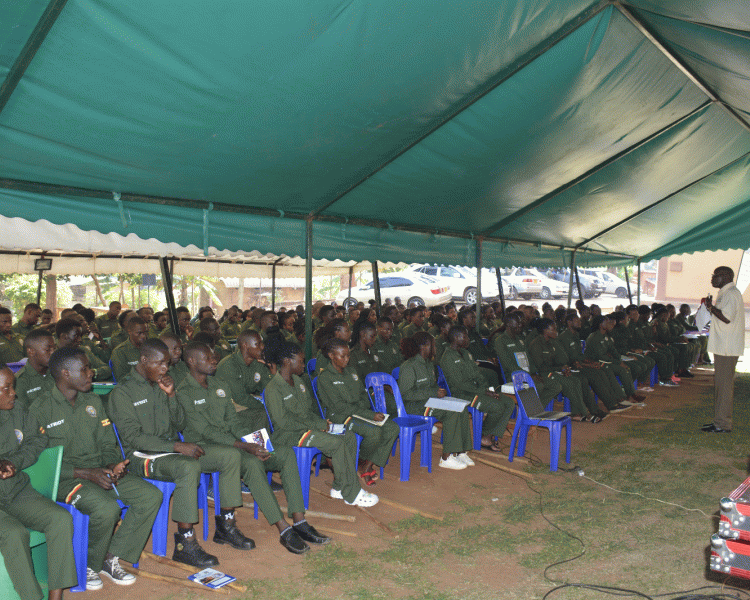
(405,130)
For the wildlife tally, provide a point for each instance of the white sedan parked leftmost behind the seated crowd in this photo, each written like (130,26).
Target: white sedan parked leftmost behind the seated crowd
(409,286)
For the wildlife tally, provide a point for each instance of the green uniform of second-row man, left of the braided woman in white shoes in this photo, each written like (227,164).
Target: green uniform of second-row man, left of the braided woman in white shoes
(246,383)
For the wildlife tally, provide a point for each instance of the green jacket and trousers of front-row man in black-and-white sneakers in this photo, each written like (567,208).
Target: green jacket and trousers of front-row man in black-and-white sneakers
(85,432)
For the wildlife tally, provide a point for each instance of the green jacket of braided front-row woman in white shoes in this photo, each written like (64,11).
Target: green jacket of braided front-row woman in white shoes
(290,408)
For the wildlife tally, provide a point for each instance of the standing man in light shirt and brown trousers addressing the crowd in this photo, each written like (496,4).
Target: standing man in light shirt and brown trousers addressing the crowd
(726,342)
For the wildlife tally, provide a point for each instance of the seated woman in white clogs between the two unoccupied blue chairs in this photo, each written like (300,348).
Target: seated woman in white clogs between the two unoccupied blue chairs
(417,384)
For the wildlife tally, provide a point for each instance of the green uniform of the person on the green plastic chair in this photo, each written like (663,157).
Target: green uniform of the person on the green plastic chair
(21,506)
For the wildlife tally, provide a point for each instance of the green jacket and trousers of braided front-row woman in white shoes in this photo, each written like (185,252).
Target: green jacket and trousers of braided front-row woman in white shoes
(296,424)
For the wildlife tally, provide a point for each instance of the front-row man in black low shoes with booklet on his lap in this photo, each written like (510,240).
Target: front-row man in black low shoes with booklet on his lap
(212,422)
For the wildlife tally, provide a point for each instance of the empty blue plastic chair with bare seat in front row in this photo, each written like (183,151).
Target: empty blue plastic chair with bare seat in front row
(408,425)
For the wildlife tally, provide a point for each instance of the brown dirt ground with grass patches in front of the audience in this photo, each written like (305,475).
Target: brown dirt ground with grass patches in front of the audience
(494,540)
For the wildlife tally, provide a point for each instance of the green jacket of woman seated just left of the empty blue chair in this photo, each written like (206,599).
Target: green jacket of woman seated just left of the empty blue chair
(343,394)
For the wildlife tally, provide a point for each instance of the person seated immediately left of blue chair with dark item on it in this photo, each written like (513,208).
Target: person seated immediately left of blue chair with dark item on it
(467,383)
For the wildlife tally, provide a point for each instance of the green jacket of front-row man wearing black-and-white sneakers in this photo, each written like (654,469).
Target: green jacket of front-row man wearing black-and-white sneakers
(83,430)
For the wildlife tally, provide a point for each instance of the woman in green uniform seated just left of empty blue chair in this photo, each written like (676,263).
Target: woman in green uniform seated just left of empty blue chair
(342,392)
